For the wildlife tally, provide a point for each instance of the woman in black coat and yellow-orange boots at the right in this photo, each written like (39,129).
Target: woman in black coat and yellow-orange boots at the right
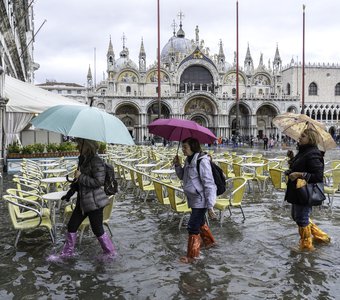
(308,164)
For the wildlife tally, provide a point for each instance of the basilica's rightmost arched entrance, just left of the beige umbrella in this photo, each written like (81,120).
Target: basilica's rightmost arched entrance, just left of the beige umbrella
(264,117)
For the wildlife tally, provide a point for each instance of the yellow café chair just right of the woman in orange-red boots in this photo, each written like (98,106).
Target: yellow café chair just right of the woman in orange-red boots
(232,197)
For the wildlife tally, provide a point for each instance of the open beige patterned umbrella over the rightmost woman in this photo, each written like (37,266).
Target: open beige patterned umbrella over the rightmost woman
(293,125)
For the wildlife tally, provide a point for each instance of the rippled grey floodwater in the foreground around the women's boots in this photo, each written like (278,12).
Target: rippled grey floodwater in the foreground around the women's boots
(254,259)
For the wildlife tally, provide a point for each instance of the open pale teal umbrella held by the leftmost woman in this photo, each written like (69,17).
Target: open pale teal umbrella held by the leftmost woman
(84,122)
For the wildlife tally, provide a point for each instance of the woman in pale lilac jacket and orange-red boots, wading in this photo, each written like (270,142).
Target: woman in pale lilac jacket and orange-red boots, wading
(200,189)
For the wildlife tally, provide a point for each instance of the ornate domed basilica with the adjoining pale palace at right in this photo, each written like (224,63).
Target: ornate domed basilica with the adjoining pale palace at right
(200,86)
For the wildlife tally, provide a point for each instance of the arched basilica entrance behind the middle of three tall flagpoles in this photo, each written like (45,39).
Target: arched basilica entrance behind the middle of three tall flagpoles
(243,120)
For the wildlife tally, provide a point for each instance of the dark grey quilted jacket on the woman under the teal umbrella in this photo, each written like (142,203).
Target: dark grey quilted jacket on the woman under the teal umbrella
(91,195)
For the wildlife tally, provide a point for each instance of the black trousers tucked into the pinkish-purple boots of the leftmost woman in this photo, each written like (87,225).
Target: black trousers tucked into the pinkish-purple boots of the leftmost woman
(95,217)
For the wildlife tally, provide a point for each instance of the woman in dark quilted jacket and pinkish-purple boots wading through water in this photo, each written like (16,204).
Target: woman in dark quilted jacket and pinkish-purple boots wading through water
(91,199)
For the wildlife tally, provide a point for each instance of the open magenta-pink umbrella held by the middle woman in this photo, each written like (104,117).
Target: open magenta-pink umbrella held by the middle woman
(179,130)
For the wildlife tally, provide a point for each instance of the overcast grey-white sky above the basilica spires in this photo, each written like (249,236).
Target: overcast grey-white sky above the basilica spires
(64,47)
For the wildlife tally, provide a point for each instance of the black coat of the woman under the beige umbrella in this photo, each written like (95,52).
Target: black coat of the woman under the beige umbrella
(310,161)
